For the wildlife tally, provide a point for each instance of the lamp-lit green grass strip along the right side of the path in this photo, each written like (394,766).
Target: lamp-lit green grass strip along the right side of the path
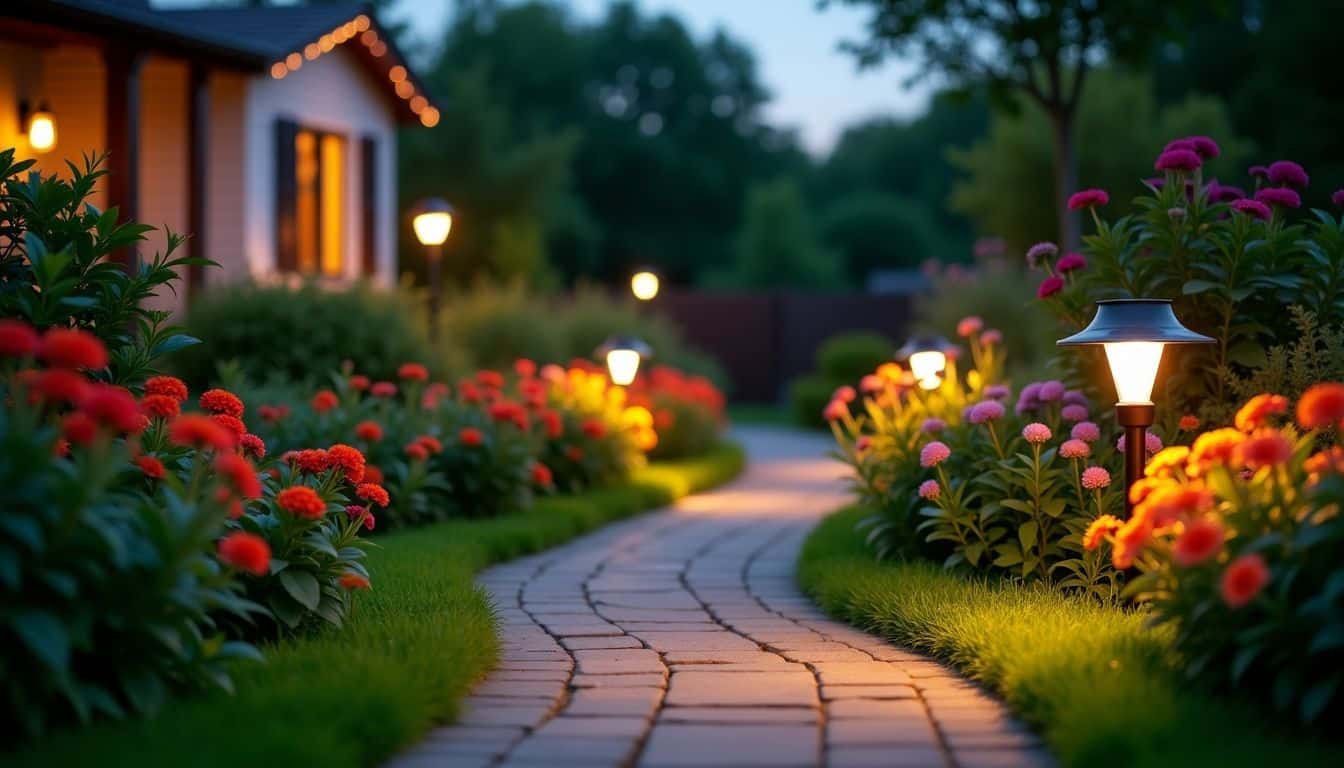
(1097,684)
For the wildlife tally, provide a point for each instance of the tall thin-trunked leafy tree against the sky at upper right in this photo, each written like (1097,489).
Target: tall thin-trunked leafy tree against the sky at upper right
(1036,49)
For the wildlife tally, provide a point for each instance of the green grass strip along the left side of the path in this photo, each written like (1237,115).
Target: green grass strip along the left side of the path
(412,652)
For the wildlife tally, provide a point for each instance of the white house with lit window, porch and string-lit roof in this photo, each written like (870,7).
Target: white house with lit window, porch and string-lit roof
(268,134)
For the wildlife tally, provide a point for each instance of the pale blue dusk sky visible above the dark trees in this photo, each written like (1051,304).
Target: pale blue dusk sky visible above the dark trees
(816,88)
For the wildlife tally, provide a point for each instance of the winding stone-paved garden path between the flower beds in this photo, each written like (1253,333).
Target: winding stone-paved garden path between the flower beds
(679,640)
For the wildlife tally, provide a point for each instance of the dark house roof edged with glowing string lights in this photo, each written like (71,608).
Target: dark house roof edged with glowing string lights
(267,40)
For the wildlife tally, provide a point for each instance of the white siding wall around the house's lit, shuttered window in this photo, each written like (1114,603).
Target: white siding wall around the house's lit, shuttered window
(337,95)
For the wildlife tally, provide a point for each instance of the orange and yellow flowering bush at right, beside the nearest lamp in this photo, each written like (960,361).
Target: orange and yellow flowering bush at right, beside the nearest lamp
(1238,541)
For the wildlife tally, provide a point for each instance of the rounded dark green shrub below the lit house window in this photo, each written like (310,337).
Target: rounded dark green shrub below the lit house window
(276,333)
